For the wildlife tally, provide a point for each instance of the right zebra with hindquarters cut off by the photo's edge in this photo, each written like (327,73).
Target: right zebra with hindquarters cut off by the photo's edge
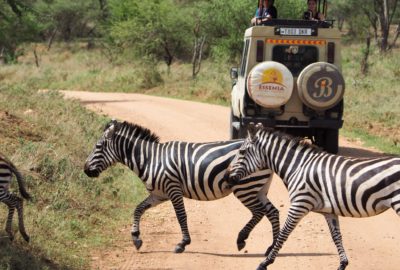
(320,182)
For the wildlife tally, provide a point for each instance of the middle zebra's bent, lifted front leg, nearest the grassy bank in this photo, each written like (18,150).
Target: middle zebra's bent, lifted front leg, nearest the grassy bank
(149,202)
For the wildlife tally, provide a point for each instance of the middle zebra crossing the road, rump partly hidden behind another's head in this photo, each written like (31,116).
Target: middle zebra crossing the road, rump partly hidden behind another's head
(173,170)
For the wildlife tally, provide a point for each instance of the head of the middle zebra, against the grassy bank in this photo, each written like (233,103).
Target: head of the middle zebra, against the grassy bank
(103,154)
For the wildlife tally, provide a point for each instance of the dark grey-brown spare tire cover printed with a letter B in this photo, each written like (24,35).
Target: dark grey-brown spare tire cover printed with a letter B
(320,86)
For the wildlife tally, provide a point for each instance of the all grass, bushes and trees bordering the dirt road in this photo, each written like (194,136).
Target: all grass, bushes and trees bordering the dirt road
(147,47)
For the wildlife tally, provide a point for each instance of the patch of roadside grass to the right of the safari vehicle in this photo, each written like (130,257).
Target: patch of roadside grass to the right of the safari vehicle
(372,111)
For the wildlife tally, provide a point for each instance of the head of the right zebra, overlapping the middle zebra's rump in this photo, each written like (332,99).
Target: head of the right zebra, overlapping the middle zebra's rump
(249,158)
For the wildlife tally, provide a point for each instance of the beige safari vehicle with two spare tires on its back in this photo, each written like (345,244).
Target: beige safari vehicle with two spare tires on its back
(290,79)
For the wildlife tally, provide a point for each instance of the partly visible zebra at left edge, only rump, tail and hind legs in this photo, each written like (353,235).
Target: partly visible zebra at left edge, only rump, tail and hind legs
(7,169)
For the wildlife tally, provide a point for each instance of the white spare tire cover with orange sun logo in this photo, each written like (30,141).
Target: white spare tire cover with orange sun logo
(270,84)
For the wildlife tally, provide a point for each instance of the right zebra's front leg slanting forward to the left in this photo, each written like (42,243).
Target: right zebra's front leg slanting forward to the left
(295,214)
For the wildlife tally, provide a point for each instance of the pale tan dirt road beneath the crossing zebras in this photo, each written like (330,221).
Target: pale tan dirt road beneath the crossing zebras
(371,243)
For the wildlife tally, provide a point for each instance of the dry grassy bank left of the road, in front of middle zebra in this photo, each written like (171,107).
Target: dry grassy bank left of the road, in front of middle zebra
(48,139)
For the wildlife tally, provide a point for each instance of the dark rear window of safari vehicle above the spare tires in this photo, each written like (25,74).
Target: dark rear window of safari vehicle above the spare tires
(295,58)
